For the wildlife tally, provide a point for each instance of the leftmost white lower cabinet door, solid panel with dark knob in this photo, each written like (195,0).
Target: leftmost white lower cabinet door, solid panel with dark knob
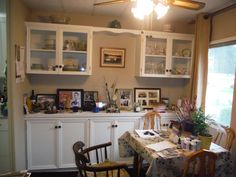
(42,144)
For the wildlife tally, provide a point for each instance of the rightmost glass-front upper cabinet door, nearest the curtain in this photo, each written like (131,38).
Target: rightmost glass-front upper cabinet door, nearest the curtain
(181,57)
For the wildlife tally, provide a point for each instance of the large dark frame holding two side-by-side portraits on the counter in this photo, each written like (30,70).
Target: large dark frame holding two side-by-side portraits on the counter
(70,98)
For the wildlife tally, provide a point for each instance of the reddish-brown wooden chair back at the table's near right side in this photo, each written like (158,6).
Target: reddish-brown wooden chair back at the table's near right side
(200,164)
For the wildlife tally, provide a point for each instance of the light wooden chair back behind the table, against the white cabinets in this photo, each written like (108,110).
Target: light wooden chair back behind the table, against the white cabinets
(152,120)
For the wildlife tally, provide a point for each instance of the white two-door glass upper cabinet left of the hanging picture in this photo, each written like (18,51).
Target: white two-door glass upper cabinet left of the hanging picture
(58,49)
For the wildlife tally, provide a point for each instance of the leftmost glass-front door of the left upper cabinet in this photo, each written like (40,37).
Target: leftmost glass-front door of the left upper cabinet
(42,50)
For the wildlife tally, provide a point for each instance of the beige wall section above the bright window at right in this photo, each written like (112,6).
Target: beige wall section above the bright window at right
(224,25)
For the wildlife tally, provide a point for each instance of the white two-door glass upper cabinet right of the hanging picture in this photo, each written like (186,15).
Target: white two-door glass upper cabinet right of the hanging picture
(165,55)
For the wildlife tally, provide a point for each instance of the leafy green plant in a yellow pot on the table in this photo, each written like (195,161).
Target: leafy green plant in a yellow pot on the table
(200,128)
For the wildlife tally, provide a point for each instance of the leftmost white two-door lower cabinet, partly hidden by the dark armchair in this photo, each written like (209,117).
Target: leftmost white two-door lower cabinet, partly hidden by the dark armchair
(50,141)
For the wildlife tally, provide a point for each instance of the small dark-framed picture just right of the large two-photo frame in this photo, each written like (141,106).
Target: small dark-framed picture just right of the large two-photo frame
(90,99)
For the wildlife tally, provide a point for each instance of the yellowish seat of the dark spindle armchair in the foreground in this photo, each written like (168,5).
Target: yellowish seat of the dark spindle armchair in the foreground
(123,172)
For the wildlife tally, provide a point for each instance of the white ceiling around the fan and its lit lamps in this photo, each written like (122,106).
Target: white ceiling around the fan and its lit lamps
(121,10)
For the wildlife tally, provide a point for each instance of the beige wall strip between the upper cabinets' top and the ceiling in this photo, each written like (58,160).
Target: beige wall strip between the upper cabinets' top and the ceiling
(126,23)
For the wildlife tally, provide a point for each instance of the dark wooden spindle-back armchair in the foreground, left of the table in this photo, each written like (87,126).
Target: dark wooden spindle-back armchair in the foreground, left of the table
(93,162)
